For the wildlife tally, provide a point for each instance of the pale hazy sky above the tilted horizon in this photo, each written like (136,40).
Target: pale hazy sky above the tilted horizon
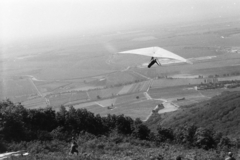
(21,19)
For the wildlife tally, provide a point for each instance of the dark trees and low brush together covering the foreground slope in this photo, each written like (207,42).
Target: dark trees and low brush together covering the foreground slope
(46,134)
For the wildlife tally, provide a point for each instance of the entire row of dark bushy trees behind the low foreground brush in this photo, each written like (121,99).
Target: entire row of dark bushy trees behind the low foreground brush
(19,124)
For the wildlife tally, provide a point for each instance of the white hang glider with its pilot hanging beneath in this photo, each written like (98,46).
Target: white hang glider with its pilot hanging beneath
(156,53)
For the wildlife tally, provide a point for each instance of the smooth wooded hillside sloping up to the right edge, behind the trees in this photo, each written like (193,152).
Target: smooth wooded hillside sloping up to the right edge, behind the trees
(220,113)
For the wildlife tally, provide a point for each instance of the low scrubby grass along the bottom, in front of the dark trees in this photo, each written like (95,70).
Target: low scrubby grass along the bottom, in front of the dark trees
(106,149)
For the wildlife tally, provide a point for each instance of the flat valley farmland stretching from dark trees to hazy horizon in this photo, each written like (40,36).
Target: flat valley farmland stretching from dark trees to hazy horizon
(87,73)
